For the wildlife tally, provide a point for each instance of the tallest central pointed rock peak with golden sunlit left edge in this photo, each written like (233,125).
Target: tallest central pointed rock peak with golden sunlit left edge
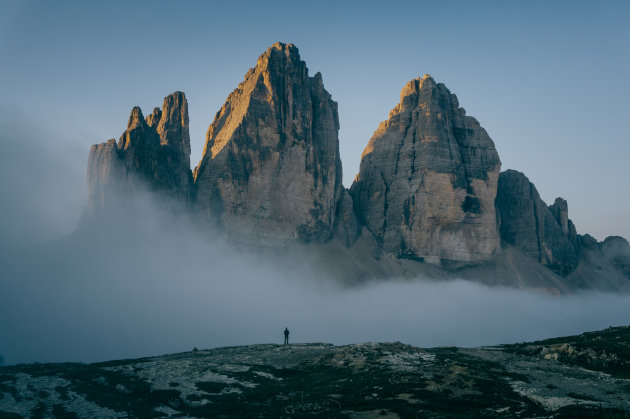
(271,171)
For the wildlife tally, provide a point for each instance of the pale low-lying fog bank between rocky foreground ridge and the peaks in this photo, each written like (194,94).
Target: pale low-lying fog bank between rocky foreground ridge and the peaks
(152,285)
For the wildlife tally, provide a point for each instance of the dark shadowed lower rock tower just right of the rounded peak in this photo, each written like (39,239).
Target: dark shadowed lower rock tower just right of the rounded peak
(543,233)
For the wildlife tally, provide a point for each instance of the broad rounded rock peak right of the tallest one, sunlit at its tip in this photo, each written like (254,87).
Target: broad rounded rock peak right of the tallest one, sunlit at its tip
(428,179)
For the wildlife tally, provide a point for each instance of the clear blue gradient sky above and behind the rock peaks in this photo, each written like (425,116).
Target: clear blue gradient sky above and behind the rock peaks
(548,80)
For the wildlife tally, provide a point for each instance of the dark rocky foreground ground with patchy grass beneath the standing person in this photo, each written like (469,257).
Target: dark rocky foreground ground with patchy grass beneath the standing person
(577,376)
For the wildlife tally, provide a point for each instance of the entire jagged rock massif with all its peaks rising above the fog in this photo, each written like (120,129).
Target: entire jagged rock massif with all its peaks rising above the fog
(429,198)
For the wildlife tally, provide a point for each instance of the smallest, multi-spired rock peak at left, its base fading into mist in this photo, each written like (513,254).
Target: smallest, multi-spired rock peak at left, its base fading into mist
(152,154)
